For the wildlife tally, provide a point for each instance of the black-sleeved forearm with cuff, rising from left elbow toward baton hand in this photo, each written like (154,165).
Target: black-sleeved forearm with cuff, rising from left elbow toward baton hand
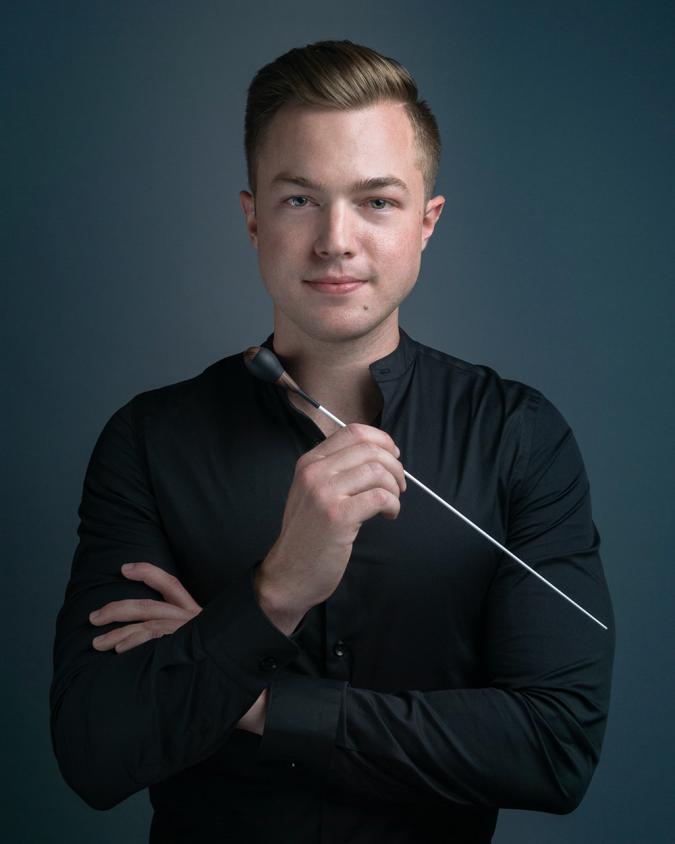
(123,721)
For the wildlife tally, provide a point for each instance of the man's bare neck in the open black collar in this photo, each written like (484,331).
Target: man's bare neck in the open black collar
(336,374)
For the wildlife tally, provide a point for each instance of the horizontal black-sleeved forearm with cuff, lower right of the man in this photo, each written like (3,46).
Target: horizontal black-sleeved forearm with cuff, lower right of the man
(467,747)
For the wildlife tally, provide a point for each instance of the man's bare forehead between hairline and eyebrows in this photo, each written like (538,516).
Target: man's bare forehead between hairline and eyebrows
(327,146)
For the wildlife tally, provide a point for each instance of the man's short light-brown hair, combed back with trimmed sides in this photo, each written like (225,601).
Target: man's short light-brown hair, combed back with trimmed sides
(339,75)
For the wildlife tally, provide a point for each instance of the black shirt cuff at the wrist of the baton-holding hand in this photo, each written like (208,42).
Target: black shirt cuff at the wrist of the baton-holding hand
(237,635)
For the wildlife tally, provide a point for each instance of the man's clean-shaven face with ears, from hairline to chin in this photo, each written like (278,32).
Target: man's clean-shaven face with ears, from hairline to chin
(339,219)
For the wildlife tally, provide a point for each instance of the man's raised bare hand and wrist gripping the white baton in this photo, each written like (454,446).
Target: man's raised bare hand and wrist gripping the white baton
(337,486)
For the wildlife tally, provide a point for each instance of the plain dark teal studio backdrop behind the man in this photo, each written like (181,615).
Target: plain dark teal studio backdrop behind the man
(126,266)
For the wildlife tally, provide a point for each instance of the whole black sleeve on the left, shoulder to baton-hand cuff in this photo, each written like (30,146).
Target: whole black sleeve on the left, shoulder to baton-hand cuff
(120,722)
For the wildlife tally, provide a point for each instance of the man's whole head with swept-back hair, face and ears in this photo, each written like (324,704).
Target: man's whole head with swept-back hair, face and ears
(342,162)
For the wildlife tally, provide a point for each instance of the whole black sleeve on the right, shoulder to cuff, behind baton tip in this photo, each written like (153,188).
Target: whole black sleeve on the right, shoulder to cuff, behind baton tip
(531,737)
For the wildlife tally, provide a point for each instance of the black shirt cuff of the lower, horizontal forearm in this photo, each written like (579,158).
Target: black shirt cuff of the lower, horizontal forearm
(302,720)
